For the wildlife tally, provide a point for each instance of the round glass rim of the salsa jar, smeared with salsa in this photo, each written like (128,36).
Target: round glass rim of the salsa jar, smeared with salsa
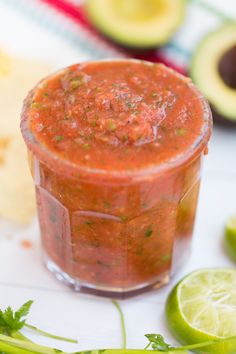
(67,167)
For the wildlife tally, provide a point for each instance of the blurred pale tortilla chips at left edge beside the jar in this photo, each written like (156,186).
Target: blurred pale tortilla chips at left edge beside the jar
(17,77)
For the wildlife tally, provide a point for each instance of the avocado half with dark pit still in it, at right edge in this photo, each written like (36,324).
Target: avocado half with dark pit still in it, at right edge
(213,70)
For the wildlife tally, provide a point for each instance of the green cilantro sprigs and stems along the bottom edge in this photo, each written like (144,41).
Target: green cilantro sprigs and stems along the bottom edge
(12,341)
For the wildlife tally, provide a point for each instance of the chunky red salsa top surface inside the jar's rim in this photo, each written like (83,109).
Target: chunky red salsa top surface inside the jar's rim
(116,115)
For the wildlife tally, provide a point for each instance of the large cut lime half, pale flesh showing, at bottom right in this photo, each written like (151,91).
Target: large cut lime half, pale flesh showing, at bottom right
(202,307)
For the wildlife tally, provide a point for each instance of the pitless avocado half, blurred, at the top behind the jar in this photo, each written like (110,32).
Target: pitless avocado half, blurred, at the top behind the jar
(137,23)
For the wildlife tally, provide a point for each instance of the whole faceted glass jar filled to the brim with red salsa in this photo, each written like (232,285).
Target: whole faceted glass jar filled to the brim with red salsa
(115,151)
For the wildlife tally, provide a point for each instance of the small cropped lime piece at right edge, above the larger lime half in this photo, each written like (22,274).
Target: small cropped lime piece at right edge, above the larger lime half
(230,238)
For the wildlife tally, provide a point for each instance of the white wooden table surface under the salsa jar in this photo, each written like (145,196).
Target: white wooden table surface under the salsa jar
(94,321)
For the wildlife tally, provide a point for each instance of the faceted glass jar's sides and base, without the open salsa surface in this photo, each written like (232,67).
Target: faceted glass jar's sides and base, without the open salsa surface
(116,234)
